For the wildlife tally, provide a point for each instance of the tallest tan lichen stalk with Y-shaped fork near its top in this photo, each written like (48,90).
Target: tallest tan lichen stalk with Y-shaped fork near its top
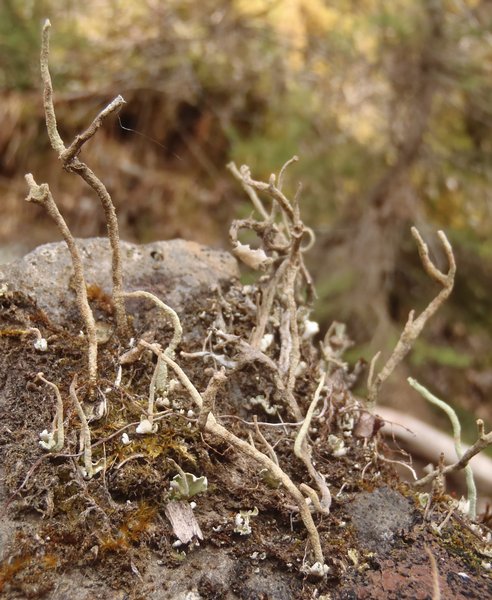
(72,164)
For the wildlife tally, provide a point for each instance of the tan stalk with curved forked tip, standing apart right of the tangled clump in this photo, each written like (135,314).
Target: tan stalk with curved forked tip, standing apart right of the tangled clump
(413,327)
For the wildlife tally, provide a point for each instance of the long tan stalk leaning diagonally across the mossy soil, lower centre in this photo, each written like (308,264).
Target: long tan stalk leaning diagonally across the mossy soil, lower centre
(211,426)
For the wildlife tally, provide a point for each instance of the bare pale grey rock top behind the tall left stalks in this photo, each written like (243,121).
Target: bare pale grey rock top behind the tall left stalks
(173,270)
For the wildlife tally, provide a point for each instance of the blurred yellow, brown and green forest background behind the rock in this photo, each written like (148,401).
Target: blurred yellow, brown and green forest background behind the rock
(388,105)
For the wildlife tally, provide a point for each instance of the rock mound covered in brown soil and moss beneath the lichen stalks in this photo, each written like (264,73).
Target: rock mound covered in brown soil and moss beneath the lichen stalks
(108,537)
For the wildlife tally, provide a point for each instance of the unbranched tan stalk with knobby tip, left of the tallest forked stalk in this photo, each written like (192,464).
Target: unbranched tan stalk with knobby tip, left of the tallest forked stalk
(40,194)
